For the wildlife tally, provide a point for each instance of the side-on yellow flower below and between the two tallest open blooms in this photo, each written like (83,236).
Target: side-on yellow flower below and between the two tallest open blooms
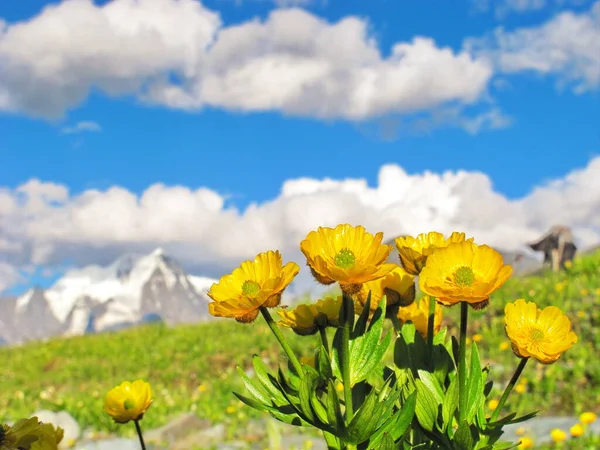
(397,286)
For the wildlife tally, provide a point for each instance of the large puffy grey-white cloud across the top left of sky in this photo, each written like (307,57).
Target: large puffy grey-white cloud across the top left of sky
(177,53)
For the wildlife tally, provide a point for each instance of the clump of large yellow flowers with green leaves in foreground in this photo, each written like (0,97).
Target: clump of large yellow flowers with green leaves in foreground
(440,388)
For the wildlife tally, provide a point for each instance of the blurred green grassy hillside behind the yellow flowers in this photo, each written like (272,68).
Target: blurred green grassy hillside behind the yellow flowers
(192,368)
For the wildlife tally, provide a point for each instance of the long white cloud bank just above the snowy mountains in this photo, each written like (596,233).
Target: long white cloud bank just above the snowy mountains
(45,225)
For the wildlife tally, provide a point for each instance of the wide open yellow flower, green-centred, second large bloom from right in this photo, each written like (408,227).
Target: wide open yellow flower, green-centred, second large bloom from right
(464,272)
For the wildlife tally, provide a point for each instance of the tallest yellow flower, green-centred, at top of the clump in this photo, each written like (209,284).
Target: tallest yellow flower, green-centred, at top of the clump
(347,255)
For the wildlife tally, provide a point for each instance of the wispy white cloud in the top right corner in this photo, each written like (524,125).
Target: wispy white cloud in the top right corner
(567,46)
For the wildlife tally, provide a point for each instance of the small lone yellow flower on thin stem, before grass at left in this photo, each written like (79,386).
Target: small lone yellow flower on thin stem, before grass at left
(128,401)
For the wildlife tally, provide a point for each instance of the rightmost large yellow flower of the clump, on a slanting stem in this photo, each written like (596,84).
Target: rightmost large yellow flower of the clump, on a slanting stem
(542,334)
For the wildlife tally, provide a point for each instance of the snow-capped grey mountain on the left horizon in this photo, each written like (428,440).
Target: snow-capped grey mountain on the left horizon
(95,298)
